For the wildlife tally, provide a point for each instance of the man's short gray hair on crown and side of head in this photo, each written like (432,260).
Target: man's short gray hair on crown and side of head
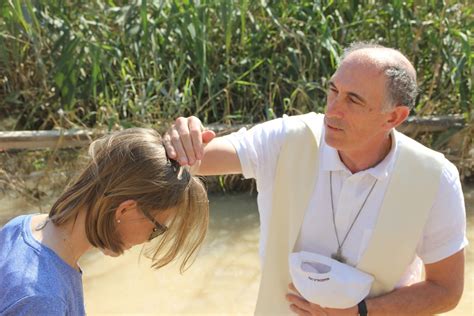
(401,85)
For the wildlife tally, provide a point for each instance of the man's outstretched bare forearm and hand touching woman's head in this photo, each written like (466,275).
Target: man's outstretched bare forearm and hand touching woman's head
(187,142)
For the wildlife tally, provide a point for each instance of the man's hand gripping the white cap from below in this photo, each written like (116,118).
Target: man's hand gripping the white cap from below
(302,307)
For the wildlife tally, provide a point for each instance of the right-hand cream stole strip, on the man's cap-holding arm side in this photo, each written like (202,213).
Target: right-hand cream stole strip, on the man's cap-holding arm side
(404,212)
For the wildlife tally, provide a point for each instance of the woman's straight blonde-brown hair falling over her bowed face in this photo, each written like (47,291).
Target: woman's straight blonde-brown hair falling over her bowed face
(132,165)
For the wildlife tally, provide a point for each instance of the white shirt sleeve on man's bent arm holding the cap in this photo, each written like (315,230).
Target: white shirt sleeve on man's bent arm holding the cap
(445,230)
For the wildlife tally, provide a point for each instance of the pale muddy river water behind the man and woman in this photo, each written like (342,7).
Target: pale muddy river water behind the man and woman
(222,281)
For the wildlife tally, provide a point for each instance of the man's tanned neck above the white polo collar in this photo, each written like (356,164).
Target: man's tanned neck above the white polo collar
(359,160)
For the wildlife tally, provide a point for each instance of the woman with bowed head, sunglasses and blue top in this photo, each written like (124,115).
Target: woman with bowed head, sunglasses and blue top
(128,194)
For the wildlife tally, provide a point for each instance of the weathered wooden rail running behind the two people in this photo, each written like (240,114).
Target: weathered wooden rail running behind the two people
(79,138)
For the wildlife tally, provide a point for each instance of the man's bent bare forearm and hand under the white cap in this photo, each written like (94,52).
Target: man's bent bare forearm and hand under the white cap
(440,292)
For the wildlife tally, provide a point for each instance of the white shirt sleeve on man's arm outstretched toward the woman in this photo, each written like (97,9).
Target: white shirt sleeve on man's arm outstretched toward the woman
(258,148)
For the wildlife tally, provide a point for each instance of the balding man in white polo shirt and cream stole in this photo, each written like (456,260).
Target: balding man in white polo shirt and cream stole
(366,193)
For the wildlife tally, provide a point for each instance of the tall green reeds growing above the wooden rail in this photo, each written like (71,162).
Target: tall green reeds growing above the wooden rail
(107,63)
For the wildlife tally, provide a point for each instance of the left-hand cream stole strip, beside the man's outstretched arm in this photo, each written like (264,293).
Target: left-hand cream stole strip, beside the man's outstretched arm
(299,157)
